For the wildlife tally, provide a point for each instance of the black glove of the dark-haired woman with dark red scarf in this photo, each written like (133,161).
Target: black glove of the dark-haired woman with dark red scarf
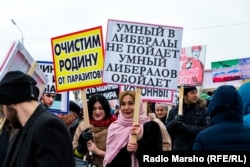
(85,136)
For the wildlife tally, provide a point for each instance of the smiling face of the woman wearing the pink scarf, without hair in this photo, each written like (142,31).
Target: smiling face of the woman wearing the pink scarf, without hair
(127,106)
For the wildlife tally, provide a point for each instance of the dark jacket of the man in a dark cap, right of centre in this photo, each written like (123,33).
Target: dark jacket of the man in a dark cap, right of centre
(195,117)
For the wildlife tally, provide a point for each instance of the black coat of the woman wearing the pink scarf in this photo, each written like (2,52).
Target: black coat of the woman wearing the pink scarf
(150,142)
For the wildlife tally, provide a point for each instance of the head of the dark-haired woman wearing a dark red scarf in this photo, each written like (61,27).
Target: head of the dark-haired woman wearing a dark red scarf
(98,107)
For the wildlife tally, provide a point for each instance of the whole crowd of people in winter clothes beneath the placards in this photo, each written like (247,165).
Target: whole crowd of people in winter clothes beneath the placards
(31,136)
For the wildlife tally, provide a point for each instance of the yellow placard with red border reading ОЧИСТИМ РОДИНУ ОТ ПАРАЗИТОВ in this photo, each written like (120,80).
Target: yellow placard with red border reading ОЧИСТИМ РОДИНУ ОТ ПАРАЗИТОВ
(78,59)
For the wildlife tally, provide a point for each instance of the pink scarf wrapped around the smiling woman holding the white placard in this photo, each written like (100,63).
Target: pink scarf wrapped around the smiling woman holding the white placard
(119,135)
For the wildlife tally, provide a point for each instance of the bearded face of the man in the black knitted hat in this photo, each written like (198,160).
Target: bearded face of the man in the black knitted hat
(11,114)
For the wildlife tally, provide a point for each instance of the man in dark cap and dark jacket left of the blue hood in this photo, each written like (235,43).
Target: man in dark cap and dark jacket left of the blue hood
(184,128)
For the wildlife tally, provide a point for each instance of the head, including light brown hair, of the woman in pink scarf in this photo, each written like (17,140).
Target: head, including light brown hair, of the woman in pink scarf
(127,101)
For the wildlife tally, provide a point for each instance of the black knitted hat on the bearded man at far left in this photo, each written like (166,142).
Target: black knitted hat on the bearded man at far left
(17,87)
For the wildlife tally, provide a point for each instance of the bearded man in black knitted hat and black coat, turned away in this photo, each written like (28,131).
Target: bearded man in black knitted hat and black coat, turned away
(42,139)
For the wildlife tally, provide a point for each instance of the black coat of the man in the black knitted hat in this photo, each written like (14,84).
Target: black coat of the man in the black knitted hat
(43,141)
